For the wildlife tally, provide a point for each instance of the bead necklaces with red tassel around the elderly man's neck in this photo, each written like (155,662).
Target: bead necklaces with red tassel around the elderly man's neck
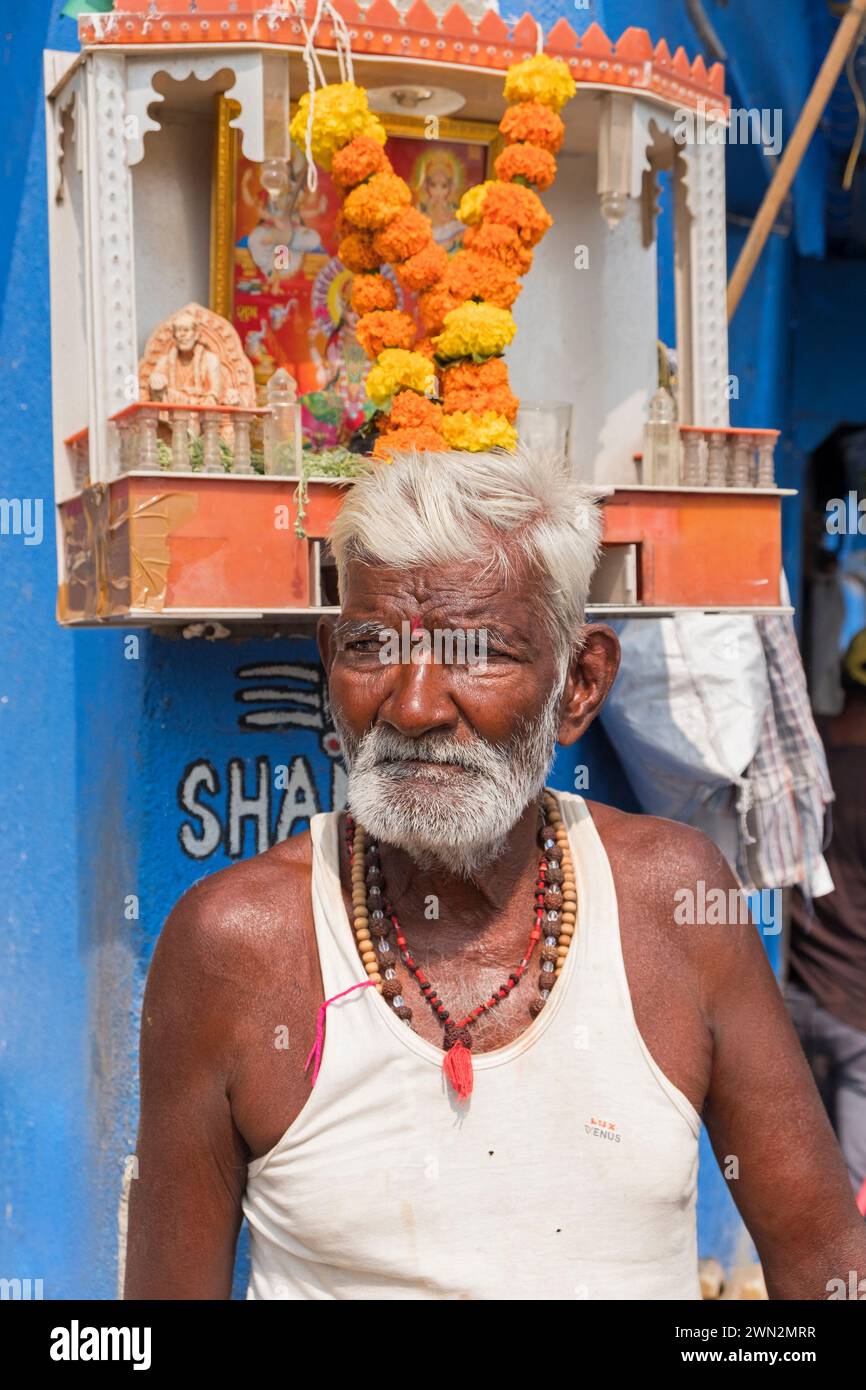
(555,913)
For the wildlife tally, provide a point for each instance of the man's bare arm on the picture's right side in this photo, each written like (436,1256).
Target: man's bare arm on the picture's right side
(764,1111)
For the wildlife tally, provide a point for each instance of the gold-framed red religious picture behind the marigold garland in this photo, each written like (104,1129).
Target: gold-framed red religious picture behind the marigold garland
(276,275)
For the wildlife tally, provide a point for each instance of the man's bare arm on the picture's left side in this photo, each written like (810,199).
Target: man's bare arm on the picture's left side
(186,1203)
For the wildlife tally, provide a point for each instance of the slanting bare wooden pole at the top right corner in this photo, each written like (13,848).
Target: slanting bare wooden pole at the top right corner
(811,115)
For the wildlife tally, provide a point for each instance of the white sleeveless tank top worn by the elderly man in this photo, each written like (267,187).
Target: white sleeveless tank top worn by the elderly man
(569,1174)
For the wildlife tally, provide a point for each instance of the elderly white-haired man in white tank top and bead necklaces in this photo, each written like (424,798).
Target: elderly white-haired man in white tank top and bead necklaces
(521,1043)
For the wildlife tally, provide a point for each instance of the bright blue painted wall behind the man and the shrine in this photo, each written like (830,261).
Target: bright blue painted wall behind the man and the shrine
(101,739)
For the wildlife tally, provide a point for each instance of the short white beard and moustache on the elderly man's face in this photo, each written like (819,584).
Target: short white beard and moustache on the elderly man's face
(457,817)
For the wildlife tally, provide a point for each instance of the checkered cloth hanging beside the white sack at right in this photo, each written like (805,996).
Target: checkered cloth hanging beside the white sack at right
(789,785)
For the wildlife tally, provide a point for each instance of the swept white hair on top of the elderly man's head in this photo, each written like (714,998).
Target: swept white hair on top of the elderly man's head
(430,509)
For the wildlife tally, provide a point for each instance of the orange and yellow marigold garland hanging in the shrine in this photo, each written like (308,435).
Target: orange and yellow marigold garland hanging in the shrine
(464,301)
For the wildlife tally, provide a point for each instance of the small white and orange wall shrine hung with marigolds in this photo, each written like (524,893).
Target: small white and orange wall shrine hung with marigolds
(216,370)
